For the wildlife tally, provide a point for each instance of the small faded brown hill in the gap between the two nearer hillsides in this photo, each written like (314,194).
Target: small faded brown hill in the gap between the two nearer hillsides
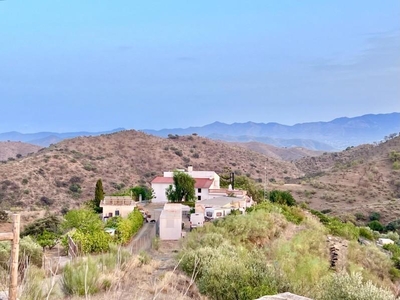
(286,153)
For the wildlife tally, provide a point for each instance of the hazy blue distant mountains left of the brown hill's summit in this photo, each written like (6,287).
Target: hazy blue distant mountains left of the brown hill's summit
(44,139)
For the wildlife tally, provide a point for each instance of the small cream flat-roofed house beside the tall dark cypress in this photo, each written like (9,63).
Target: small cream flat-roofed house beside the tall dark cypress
(117,206)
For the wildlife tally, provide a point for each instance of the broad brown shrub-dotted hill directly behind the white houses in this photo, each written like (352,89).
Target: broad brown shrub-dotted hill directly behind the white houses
(65,174)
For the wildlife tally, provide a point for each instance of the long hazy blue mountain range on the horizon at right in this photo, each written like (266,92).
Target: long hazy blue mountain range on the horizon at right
(334,135)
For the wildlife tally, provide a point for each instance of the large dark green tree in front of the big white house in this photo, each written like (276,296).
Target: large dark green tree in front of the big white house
(183,189)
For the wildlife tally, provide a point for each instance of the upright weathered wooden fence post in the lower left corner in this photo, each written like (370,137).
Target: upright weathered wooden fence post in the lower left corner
(12,294)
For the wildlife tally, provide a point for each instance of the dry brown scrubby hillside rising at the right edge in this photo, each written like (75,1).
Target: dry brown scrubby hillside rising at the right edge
(359,180)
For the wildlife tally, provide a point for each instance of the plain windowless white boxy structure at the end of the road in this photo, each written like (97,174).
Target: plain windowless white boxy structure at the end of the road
(171,222)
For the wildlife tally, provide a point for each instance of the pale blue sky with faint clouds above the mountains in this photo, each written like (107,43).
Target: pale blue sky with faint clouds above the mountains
(98,65)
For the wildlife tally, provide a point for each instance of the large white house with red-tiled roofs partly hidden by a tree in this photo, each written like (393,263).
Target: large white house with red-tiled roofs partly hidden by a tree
(204,182)
